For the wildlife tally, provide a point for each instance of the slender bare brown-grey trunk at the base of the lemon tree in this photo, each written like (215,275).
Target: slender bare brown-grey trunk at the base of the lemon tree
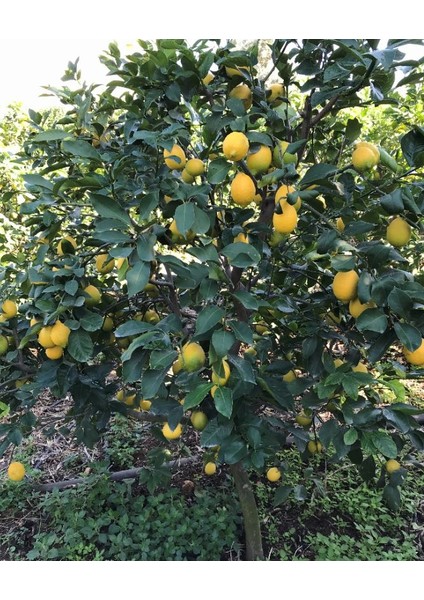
(252,528)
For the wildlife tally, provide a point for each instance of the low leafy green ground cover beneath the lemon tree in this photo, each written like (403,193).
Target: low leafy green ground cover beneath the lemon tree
(332,515)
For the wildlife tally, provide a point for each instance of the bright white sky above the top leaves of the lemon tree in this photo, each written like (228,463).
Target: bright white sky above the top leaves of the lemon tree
(40,38)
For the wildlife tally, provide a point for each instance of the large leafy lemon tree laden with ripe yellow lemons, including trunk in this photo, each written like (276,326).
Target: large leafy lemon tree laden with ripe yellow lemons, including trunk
(255,232)
